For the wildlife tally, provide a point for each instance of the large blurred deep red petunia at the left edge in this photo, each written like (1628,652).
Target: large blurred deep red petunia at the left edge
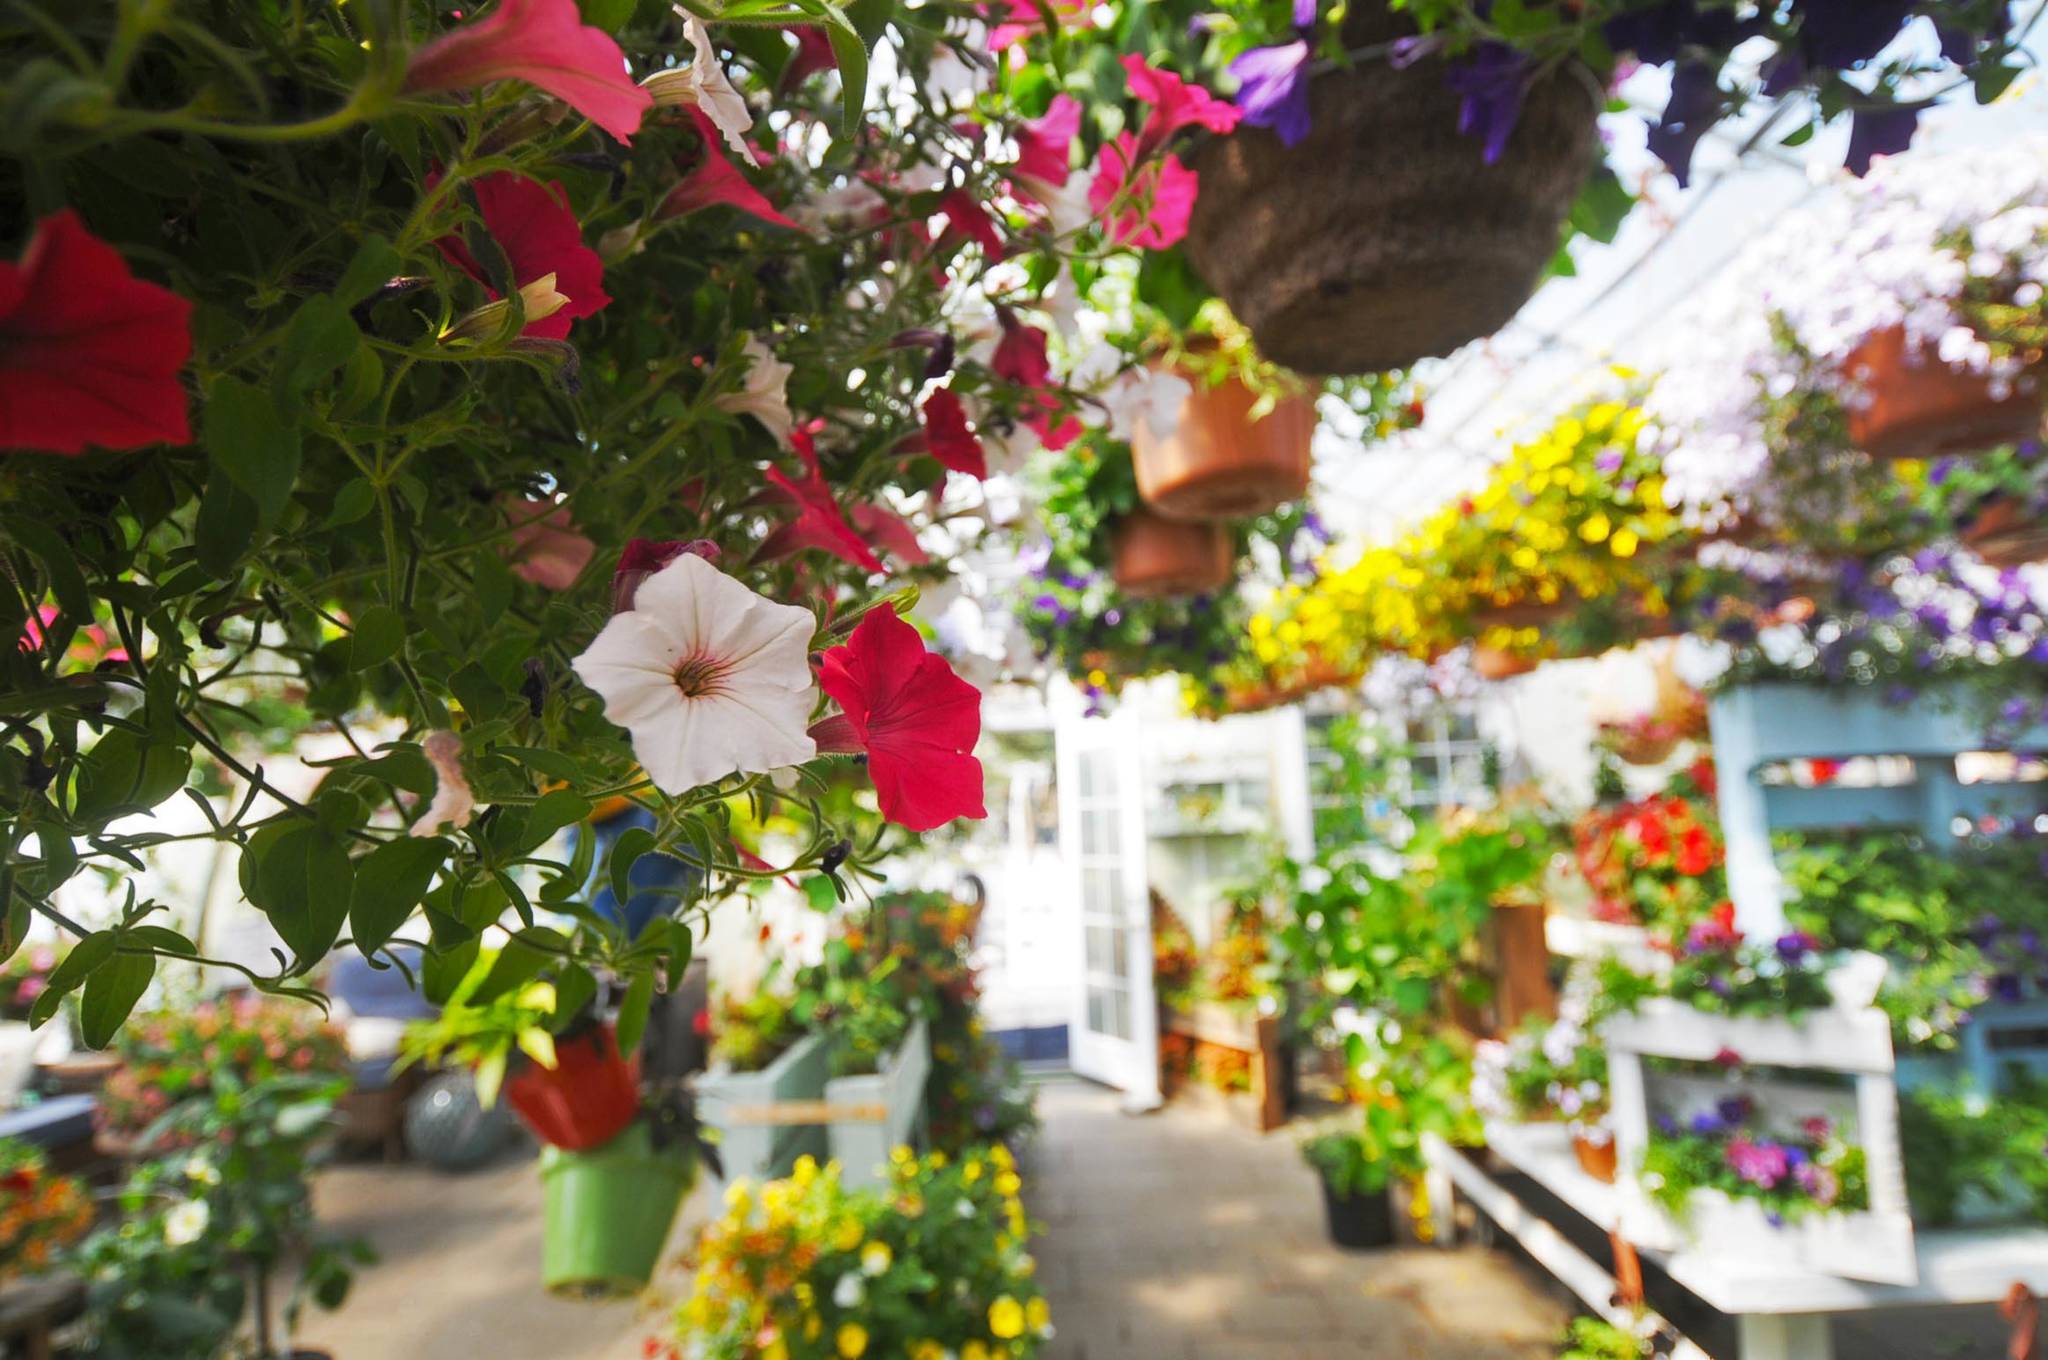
(89,353)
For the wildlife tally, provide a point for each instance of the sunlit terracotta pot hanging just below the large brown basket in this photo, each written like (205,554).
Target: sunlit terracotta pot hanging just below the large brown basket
(1220,464)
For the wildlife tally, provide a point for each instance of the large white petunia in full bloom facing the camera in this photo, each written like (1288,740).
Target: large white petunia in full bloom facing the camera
(708,675)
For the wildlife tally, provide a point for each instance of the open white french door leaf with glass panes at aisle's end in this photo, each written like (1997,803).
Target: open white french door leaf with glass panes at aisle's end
(1113,1033)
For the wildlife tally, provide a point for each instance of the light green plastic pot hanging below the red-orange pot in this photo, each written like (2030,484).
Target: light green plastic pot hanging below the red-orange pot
(609,1212)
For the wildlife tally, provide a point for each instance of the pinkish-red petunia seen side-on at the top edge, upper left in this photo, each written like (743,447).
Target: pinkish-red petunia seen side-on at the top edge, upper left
(548,46)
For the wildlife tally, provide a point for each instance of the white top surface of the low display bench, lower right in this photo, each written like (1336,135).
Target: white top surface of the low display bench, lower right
(1955,1265)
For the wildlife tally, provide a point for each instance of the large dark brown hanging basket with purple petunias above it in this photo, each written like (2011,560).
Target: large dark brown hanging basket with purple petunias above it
(1385,237)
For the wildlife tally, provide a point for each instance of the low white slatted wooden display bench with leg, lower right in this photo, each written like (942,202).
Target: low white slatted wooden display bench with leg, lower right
(1781,1314)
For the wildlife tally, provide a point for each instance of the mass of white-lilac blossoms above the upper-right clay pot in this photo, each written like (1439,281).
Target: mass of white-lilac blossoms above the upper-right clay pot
(1873,257)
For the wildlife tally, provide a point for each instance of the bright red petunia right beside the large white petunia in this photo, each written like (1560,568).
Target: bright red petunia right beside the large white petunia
(912,716)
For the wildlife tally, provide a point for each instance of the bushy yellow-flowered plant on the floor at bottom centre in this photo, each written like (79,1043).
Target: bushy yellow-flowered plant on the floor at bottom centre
(927,1267)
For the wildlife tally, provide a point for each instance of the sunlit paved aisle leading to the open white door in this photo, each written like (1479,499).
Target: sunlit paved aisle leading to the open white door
(1183,1236)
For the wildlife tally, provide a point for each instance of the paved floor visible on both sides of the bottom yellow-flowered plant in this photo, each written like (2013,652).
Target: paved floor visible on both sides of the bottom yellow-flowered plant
(1175,1236)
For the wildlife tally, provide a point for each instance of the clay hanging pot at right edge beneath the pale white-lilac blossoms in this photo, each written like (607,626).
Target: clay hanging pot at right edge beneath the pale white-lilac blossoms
(1920,409)
